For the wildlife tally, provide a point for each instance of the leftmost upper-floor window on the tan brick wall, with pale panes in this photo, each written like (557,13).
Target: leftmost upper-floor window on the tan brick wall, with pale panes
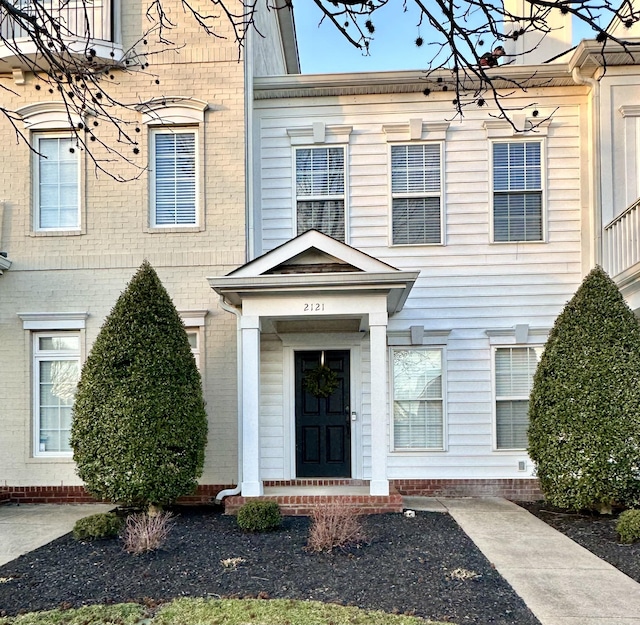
(56,183)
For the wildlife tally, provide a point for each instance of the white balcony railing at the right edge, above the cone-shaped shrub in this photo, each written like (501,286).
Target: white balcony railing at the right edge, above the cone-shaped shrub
(622,241)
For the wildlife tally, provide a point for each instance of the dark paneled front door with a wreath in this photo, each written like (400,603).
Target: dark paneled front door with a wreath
(323,426)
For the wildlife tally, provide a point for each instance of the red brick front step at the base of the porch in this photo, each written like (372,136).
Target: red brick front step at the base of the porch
(300,500)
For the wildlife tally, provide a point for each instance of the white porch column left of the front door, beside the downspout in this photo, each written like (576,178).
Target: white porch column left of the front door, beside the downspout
(251,482)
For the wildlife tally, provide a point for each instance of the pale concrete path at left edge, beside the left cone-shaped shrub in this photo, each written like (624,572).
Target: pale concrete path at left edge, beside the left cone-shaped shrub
(26,527)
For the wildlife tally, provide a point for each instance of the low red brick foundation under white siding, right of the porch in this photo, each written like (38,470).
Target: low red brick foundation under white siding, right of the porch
(512,489)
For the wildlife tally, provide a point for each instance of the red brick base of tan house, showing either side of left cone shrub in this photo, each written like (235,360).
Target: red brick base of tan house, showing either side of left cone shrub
(204,494)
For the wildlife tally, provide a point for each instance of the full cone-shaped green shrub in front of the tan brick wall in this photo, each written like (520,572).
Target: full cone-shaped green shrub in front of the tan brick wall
(139,425)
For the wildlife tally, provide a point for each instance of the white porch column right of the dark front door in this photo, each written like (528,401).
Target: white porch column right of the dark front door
(379,383)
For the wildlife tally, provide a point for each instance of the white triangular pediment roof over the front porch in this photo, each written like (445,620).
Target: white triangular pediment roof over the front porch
(314,263)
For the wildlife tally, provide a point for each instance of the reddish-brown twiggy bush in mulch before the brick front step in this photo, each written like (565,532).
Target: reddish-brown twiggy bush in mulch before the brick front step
(334,526)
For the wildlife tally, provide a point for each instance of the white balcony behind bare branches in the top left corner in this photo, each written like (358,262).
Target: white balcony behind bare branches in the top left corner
(86,27)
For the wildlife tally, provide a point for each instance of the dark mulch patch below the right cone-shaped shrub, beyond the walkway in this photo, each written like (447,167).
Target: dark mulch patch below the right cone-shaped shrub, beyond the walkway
(594,532)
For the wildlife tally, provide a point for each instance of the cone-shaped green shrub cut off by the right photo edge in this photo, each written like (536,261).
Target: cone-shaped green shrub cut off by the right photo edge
(584,409)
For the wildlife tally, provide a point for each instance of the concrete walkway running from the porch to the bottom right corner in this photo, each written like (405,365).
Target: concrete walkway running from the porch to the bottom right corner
(561,582)
